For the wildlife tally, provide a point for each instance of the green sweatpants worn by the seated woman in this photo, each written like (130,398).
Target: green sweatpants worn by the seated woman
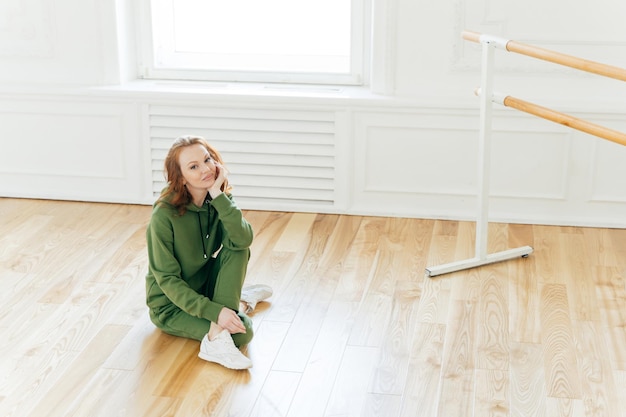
(224,286)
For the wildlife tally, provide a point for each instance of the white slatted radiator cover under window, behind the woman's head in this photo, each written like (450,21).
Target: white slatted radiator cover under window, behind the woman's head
(277,158)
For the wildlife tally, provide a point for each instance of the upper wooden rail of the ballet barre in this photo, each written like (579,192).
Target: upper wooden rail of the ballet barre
(555,57)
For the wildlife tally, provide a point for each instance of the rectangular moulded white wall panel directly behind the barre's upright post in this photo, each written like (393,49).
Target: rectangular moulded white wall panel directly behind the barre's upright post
(436,154)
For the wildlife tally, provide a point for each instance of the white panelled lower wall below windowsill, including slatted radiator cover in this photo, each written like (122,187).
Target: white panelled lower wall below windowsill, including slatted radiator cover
(408,161)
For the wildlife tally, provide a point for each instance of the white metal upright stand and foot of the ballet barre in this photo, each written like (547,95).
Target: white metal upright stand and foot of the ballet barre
(484,164)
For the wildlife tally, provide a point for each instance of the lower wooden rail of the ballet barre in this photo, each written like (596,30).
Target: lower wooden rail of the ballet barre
(564,119)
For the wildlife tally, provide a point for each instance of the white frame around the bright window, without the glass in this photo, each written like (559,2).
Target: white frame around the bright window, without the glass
(359,56)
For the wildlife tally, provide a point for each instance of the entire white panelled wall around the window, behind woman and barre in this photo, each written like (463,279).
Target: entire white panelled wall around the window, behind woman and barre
(72,127)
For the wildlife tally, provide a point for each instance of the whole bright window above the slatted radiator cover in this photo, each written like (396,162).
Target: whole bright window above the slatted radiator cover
(299,41)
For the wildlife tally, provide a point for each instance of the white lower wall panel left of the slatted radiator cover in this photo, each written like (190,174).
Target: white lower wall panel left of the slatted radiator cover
(79,150)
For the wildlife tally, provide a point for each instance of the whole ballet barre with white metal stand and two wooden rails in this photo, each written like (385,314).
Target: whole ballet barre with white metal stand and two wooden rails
(487,97)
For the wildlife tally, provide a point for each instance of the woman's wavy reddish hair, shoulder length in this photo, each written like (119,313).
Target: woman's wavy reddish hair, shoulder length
(176,193)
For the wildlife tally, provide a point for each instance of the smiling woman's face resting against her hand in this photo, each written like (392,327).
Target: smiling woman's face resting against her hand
(198,168)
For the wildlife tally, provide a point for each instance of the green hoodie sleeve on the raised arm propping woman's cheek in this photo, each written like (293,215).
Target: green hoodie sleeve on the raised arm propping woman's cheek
(237,233)
